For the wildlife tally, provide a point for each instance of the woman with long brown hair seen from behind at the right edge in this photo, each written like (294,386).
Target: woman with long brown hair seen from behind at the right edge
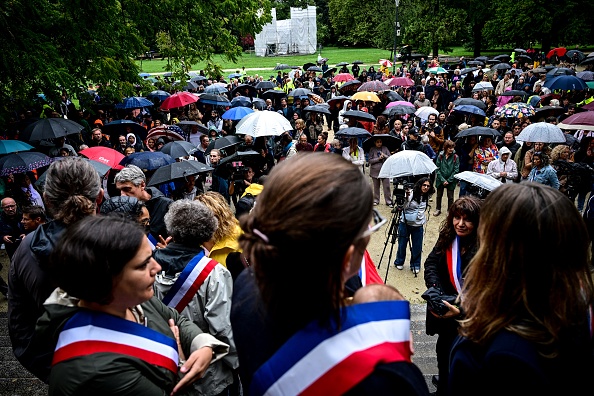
(527,299)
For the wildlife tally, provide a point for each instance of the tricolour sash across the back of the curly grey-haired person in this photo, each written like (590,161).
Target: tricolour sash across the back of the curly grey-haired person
(189,281)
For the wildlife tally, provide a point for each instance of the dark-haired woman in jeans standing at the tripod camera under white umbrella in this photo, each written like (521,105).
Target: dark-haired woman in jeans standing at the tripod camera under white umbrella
(411,224)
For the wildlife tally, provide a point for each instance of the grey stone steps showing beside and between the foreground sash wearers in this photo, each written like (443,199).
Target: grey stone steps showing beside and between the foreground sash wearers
(16,381)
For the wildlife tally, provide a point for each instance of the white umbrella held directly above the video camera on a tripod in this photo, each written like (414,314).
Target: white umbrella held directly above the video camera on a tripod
(407,163)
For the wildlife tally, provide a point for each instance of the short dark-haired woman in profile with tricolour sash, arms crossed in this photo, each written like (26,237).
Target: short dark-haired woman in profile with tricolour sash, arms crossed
(116,338)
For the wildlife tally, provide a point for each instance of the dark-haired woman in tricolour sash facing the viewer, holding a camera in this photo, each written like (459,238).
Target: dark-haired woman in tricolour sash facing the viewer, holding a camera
(444,268)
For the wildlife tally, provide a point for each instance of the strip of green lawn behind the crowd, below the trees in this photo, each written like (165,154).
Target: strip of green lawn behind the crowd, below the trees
(370,56)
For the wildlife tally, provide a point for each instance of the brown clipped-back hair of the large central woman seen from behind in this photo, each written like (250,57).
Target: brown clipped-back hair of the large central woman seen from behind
(311,211)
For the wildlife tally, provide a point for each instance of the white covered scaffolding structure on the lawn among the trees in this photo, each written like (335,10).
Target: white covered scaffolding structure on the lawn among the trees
(297,35)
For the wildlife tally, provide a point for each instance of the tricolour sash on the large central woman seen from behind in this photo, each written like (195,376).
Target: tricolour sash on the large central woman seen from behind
(322,361)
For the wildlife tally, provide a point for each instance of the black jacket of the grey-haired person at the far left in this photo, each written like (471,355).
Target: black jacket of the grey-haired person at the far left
(30,284)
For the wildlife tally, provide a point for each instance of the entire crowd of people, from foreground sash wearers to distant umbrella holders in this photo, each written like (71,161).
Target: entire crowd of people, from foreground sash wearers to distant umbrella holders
(189,282)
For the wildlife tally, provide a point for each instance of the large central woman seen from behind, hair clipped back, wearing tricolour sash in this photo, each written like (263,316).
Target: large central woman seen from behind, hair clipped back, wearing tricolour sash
(292,327)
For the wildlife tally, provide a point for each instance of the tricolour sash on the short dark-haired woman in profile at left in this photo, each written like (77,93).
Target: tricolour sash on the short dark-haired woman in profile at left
(89,332)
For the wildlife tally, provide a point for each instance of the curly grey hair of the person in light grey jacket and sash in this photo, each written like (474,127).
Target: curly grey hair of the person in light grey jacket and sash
(190,223)
